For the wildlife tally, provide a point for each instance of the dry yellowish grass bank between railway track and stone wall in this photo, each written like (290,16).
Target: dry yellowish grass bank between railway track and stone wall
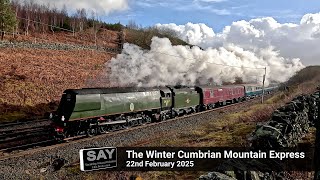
(231,130)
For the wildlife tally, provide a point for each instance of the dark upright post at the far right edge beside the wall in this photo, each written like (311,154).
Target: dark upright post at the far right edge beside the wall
(317,143)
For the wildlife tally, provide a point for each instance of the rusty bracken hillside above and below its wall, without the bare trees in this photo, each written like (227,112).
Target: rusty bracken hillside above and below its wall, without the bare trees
(32,79)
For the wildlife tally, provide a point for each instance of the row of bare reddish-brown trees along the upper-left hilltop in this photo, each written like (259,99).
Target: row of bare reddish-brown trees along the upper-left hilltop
(43,18)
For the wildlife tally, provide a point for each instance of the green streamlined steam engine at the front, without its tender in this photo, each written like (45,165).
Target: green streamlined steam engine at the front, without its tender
(93,111)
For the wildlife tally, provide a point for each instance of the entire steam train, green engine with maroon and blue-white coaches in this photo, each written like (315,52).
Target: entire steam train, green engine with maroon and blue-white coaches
(93,111)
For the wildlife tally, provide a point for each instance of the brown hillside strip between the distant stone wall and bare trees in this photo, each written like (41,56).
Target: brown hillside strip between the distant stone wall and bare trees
(103,38)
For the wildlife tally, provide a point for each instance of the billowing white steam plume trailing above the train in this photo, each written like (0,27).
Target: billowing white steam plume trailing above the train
(165,64)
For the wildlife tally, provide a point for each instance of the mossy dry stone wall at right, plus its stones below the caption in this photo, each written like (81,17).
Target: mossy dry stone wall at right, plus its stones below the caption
(286,128)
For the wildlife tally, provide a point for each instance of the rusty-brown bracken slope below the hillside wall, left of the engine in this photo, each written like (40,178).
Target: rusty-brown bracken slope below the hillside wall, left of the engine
(30,77)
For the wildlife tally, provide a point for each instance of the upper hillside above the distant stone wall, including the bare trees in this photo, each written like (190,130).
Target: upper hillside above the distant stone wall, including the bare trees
(36,23)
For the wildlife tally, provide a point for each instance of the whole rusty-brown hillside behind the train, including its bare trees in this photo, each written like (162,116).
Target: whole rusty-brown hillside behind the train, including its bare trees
(40,58)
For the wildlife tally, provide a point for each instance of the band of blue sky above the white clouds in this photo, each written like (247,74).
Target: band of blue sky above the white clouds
(215,13)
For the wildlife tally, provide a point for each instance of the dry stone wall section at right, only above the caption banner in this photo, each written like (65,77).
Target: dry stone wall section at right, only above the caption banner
(288,124)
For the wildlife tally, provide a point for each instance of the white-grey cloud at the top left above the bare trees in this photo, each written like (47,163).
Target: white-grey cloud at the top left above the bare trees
(100,6)
